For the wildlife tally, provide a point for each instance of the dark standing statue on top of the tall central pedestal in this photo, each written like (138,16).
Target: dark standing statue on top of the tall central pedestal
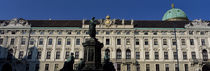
(92,28)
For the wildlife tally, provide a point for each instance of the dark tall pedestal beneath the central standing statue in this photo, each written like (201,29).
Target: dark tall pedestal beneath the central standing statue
(92,55)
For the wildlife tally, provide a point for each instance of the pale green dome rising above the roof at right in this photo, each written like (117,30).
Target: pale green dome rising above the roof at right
(174,13)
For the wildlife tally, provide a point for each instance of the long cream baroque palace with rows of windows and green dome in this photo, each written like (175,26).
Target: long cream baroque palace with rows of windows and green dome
(133,45)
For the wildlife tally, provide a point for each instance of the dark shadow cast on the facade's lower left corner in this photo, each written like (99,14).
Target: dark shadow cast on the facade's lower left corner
(8,62)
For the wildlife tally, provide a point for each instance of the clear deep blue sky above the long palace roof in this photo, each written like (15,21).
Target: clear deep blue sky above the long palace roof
(85,9)
